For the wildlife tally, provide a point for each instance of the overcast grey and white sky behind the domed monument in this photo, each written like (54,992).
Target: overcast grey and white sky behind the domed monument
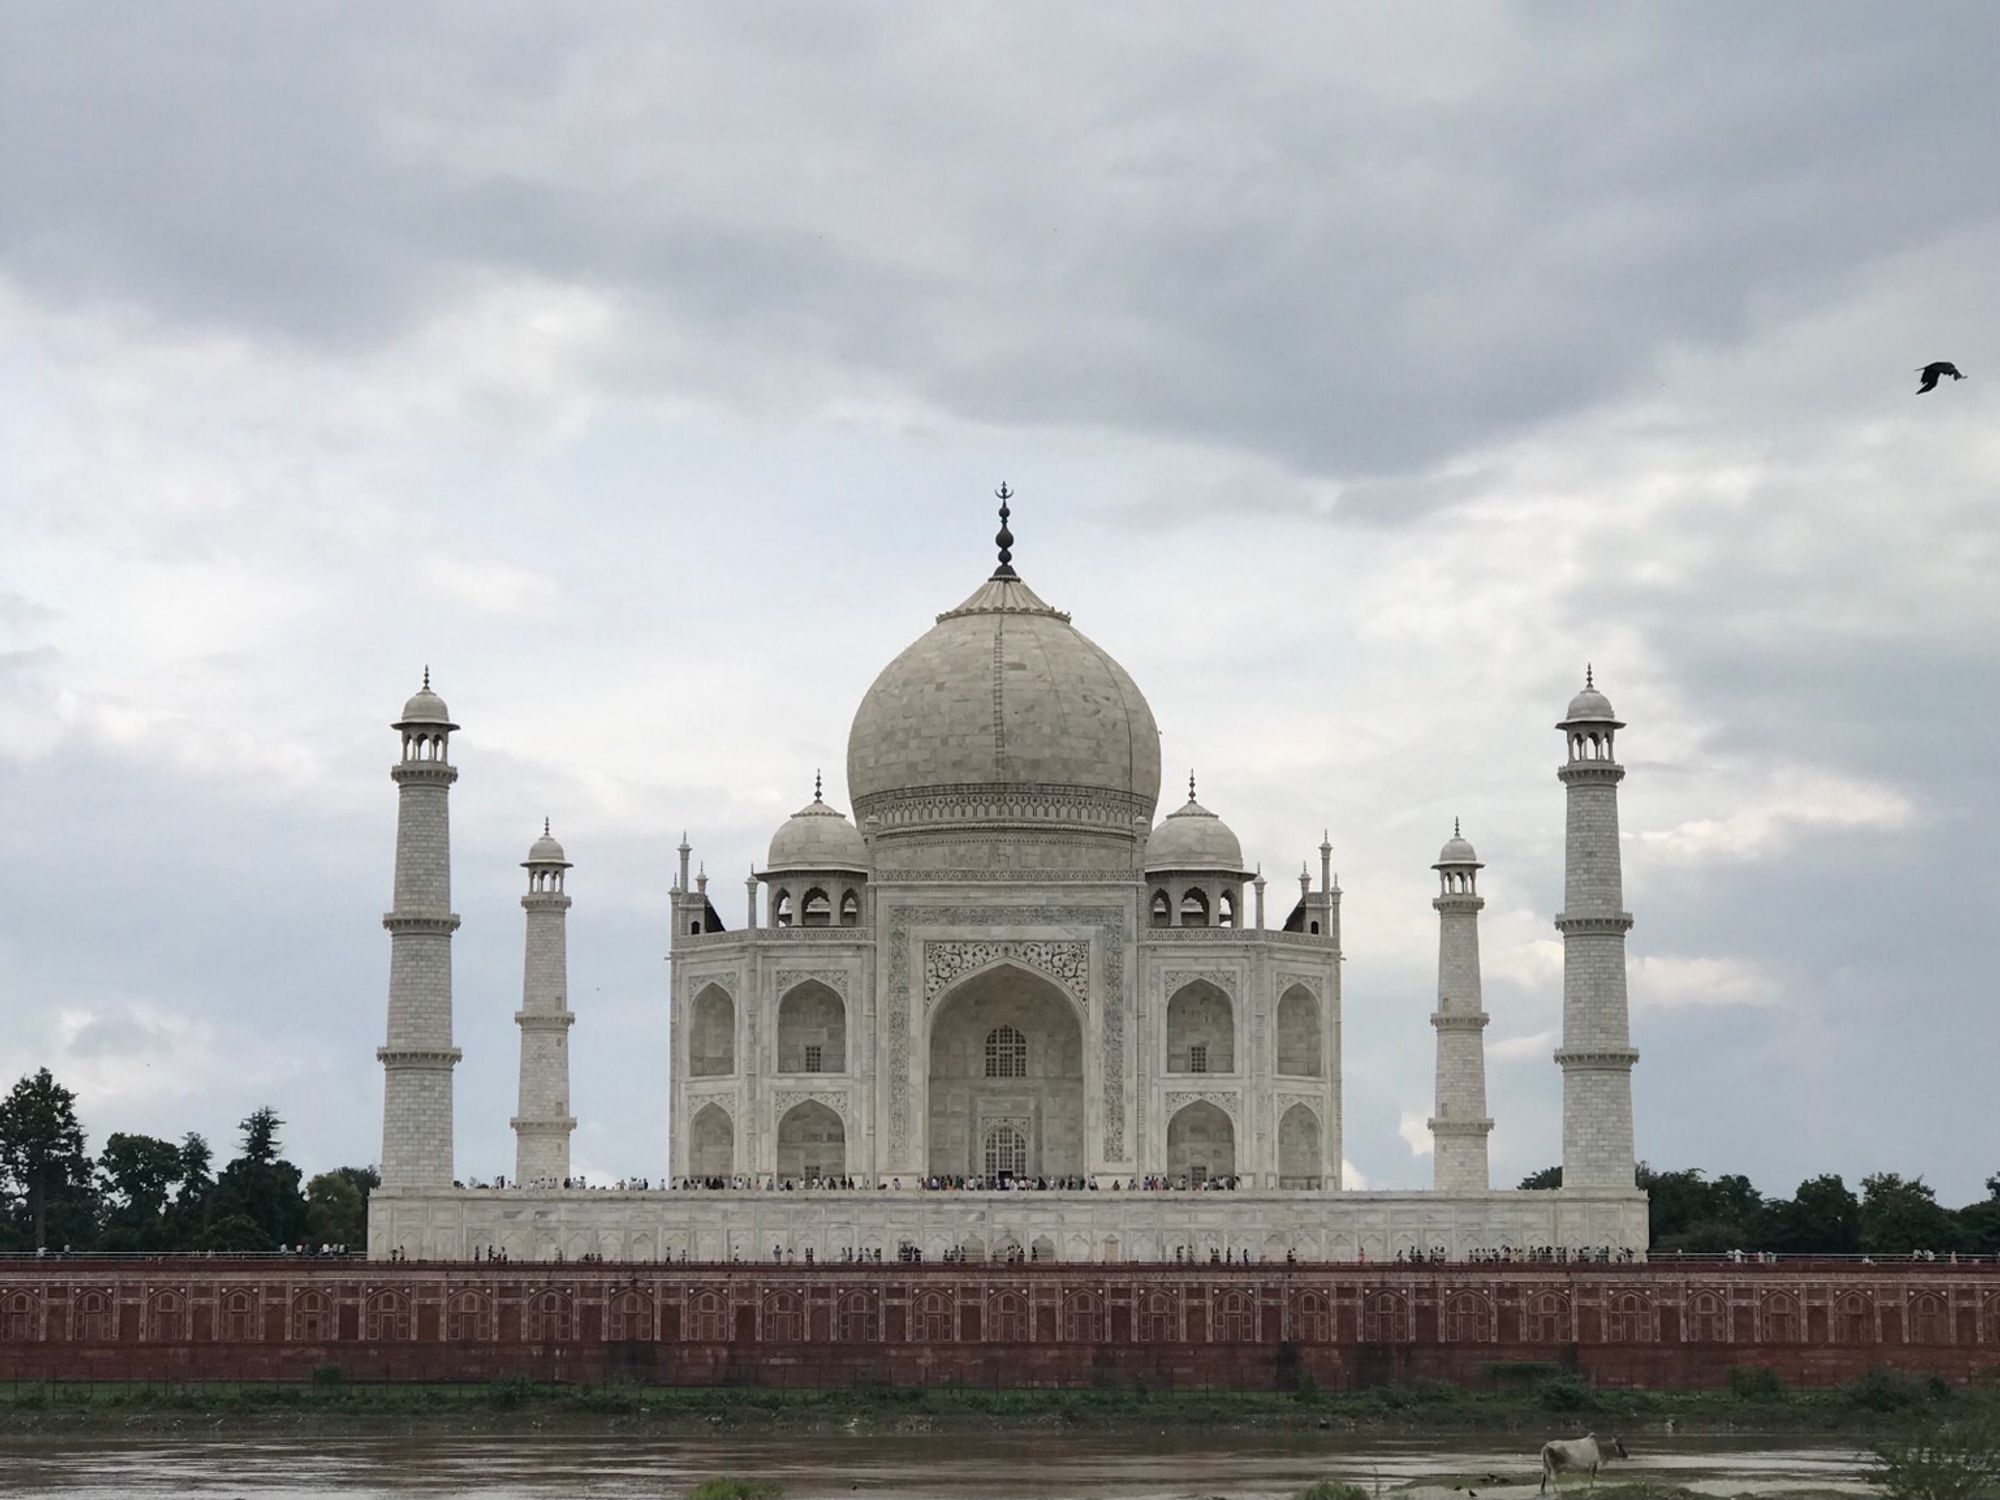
(1363,373)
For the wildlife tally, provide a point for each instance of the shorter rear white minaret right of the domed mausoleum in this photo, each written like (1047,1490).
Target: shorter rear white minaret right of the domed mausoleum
(1461,1127)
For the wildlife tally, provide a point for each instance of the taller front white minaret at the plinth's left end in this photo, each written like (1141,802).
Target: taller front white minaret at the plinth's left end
(419,1059)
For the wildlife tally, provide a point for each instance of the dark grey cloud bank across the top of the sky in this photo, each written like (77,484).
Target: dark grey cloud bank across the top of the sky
(1209,245)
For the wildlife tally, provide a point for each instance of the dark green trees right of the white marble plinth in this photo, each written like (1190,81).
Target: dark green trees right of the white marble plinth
(1889,1217)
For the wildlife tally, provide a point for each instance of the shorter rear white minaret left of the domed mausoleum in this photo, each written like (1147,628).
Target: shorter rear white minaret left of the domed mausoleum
(545,1123)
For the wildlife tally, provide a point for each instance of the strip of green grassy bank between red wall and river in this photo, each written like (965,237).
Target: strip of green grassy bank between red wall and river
(1883,1403)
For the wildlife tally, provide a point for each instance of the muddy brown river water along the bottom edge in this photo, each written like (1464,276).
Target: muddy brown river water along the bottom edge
(945,1467)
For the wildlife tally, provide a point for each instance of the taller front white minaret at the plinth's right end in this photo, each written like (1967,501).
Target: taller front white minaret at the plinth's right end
(1597,1039)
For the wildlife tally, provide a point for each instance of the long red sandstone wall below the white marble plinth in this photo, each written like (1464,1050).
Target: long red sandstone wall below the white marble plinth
(1227,1327)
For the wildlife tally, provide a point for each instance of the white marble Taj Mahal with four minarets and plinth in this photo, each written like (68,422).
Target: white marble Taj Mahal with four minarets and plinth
(1005,1011)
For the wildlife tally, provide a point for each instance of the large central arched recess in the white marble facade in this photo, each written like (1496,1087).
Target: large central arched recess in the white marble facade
(1007,1071)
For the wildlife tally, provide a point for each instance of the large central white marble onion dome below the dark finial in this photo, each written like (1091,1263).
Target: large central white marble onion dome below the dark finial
(1005,713)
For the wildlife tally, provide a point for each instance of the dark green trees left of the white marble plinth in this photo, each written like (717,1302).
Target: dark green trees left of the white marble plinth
(143,1193)
